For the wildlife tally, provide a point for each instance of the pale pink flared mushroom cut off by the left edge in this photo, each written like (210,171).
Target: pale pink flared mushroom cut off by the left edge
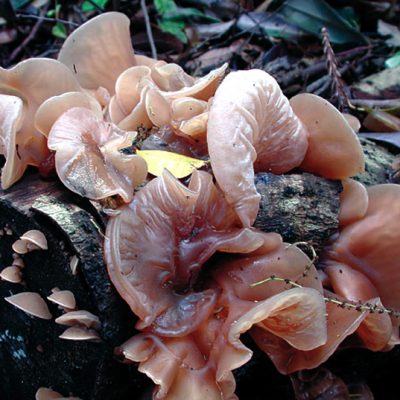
(33,81)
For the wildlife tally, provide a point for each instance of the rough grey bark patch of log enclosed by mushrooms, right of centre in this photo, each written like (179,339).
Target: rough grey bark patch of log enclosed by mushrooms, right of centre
(302,208)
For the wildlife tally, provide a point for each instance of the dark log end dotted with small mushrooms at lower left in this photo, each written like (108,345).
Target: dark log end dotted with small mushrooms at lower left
(31,353)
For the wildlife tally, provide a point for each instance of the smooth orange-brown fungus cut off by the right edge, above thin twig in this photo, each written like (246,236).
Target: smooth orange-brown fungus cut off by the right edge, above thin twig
(368,250)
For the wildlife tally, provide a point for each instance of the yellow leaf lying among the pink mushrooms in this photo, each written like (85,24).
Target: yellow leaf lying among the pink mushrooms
(179,165)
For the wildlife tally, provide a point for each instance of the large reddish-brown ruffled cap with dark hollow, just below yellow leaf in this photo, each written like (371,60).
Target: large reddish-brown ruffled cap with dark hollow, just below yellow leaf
(190,225)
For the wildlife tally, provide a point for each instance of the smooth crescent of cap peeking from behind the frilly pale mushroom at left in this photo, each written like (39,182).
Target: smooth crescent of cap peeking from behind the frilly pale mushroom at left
(54,107)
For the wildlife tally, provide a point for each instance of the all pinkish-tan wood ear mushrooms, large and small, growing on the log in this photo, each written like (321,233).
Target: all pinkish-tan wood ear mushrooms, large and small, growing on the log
(91,108)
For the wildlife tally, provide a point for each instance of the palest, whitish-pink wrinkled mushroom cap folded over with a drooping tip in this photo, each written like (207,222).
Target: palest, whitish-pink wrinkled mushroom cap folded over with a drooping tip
(251,126)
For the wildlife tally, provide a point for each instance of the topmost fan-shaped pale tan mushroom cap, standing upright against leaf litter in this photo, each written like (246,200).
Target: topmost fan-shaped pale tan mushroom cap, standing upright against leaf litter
(99,51)
